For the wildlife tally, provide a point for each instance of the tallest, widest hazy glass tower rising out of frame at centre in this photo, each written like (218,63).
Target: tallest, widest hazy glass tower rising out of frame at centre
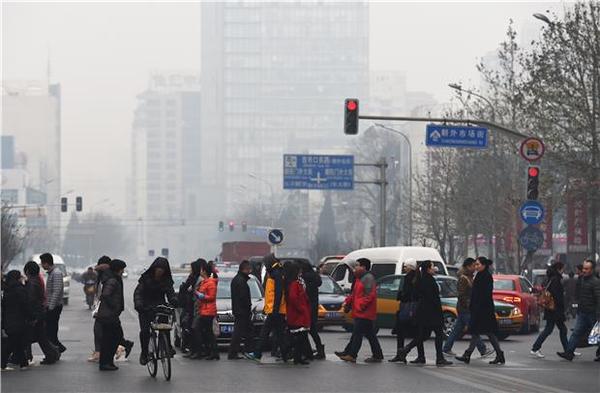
(274,79)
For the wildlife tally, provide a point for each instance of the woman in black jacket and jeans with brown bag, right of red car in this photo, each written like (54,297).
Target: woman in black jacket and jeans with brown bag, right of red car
(557,315)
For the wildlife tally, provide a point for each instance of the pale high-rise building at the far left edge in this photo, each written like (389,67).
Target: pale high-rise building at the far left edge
(31,153)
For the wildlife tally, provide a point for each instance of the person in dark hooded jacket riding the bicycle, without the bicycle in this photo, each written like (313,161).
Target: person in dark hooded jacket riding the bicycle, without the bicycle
(155,288)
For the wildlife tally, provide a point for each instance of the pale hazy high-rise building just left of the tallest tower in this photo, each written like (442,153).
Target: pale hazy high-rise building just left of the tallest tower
(164,189)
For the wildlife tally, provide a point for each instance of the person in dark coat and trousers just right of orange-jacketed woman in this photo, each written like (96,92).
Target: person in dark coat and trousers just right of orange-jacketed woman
(241,301)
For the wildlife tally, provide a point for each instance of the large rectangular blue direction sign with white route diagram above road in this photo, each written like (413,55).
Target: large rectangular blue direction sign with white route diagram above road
(318,172)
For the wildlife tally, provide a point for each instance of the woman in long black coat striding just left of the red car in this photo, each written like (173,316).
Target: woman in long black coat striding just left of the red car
(483,314)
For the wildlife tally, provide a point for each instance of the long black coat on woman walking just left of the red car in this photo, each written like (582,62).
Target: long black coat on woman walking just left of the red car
(483,315)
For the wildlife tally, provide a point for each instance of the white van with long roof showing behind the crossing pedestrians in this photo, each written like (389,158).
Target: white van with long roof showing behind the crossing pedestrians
(386,261)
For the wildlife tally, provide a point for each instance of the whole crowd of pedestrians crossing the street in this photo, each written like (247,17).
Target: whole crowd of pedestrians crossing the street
(32,306)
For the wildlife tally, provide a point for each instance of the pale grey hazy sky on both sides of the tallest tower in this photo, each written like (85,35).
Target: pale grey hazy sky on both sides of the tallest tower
(103,54)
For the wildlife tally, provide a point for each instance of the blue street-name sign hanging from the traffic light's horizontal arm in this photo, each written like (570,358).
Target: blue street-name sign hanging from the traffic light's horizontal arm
(441,135)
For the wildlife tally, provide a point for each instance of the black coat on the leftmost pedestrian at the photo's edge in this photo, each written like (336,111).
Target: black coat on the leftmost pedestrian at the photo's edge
(15,307)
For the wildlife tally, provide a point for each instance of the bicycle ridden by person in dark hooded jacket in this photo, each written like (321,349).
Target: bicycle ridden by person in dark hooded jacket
(159,347)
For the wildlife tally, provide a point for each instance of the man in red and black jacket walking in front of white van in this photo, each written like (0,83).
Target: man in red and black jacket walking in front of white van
(363,302)
